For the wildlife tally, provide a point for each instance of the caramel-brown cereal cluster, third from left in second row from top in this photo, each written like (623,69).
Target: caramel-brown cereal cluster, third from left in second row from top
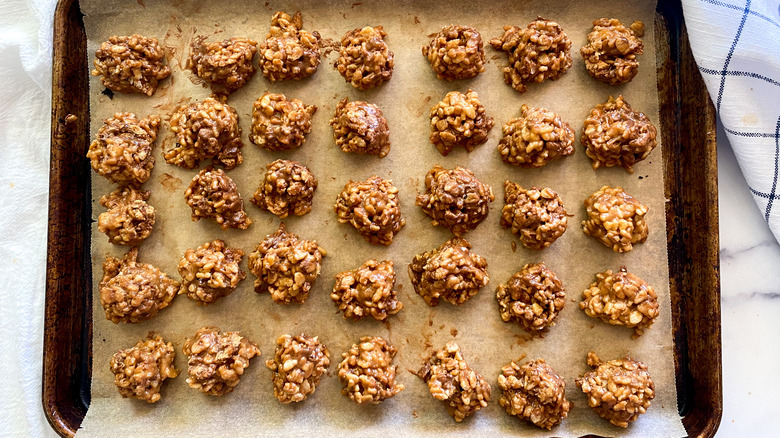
(280,124)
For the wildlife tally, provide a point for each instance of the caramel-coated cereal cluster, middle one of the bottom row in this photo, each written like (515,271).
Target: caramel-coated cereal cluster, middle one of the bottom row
(367,372)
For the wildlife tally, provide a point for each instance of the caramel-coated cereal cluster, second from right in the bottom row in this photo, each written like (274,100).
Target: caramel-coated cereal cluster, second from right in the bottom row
(534,392)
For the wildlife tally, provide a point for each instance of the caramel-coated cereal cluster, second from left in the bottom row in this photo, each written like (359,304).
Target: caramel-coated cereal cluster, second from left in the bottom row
(217,360)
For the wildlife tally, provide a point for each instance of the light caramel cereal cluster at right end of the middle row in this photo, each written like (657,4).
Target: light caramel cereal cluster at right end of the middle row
(615,218)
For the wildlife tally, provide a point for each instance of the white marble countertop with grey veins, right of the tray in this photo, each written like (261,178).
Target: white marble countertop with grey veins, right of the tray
(750,307)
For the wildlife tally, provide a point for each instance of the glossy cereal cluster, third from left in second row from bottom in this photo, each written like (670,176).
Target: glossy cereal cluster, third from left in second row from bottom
(285,266)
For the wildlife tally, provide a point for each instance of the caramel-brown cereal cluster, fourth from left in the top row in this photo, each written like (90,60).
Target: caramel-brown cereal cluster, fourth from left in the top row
(365,61)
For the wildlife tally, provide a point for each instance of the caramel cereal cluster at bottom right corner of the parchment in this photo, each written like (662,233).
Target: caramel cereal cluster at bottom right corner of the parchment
(619,390)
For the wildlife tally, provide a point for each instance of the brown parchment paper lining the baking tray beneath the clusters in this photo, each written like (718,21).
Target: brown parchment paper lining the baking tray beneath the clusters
(487,342)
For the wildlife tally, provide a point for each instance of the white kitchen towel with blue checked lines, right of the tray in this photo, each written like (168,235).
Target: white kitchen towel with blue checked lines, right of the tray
(736,44)
